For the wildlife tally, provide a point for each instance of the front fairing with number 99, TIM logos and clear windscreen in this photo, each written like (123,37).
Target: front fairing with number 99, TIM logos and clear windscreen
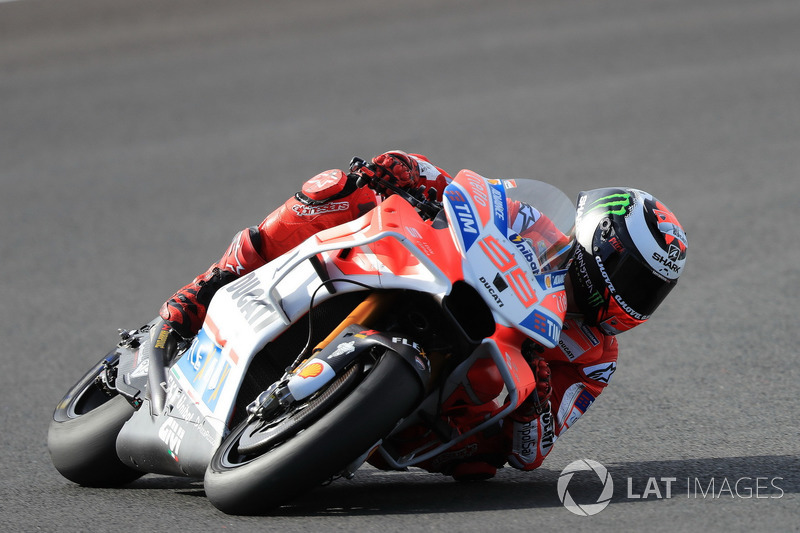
(516,241)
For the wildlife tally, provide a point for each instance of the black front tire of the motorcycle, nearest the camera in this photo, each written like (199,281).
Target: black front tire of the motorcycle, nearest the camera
(253,485)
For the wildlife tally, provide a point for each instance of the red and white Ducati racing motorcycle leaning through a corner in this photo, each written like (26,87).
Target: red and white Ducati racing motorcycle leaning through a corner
(332,354)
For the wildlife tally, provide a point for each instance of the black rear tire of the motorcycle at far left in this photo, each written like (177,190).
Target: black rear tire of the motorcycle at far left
(83,434)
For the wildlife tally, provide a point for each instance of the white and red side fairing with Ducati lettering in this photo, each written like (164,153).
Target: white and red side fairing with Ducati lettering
(389,248)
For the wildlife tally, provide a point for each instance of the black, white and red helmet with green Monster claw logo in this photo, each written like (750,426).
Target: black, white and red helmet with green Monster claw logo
(629,253)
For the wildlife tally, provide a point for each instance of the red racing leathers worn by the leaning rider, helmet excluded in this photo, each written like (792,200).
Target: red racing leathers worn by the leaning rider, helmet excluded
(580,366)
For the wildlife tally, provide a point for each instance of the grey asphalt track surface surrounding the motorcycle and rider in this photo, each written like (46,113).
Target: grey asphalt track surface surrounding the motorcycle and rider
(137,137)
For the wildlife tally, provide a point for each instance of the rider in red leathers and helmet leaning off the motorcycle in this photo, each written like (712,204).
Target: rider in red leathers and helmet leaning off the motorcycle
(629,254)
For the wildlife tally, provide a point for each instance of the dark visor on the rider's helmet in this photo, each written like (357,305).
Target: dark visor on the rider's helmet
(635,284)
